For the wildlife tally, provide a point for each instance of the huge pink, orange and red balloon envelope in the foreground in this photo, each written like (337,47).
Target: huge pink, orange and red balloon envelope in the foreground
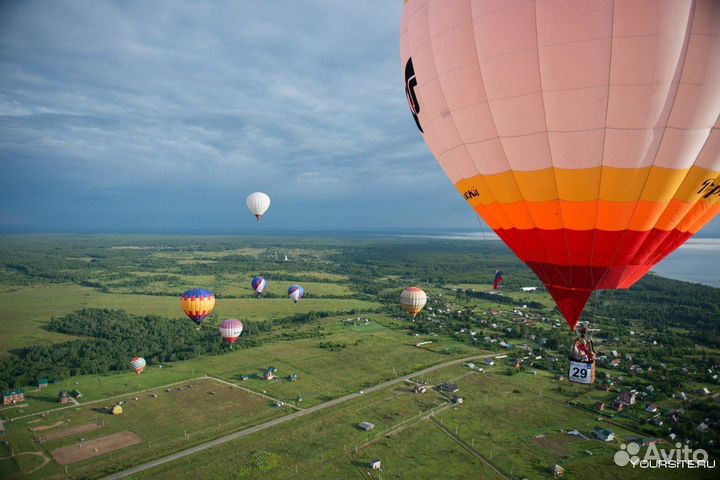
(585,133)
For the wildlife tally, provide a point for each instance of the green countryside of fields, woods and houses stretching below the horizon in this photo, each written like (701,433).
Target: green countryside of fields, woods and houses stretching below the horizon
(348,336)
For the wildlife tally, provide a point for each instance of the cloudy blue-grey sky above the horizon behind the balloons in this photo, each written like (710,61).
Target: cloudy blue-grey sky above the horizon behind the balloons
(162,116)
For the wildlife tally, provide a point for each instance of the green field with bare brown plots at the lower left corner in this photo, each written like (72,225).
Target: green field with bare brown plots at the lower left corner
(187,414)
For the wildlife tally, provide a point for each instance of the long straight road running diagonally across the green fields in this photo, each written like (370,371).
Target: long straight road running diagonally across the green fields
(287,418)
